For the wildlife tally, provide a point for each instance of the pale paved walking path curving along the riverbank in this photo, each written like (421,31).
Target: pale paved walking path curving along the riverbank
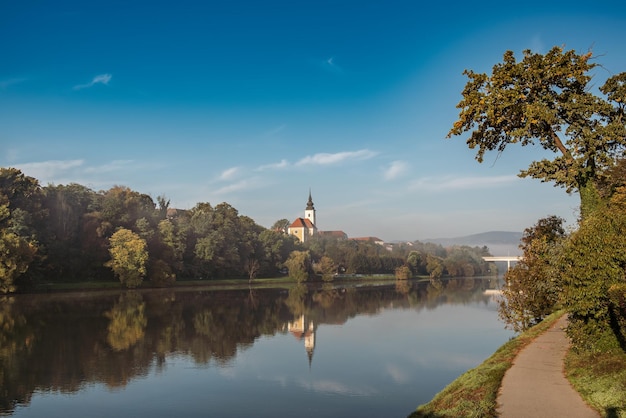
(535,386)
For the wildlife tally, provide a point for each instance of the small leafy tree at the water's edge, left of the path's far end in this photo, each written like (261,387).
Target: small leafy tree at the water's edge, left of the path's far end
(533,284)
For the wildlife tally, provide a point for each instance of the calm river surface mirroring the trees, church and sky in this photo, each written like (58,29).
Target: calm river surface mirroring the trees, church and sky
(366,351)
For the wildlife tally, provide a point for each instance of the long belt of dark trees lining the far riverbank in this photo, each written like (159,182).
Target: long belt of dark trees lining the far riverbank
(70,233)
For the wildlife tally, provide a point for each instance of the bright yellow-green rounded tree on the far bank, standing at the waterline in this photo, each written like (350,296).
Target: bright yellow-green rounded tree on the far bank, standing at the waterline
(129,256)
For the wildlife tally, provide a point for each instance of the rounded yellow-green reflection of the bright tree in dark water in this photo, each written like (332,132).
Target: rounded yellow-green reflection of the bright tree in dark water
(127,321)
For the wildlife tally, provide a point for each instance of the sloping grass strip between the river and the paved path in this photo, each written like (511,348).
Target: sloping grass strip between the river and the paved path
(474,393)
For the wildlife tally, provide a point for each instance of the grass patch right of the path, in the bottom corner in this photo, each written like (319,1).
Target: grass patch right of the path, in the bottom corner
(600,378)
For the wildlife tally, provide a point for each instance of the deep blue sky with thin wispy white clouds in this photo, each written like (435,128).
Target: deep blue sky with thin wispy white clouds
(254,103)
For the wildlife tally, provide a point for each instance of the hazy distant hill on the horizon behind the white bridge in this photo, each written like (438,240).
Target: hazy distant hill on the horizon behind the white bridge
(498,242)
